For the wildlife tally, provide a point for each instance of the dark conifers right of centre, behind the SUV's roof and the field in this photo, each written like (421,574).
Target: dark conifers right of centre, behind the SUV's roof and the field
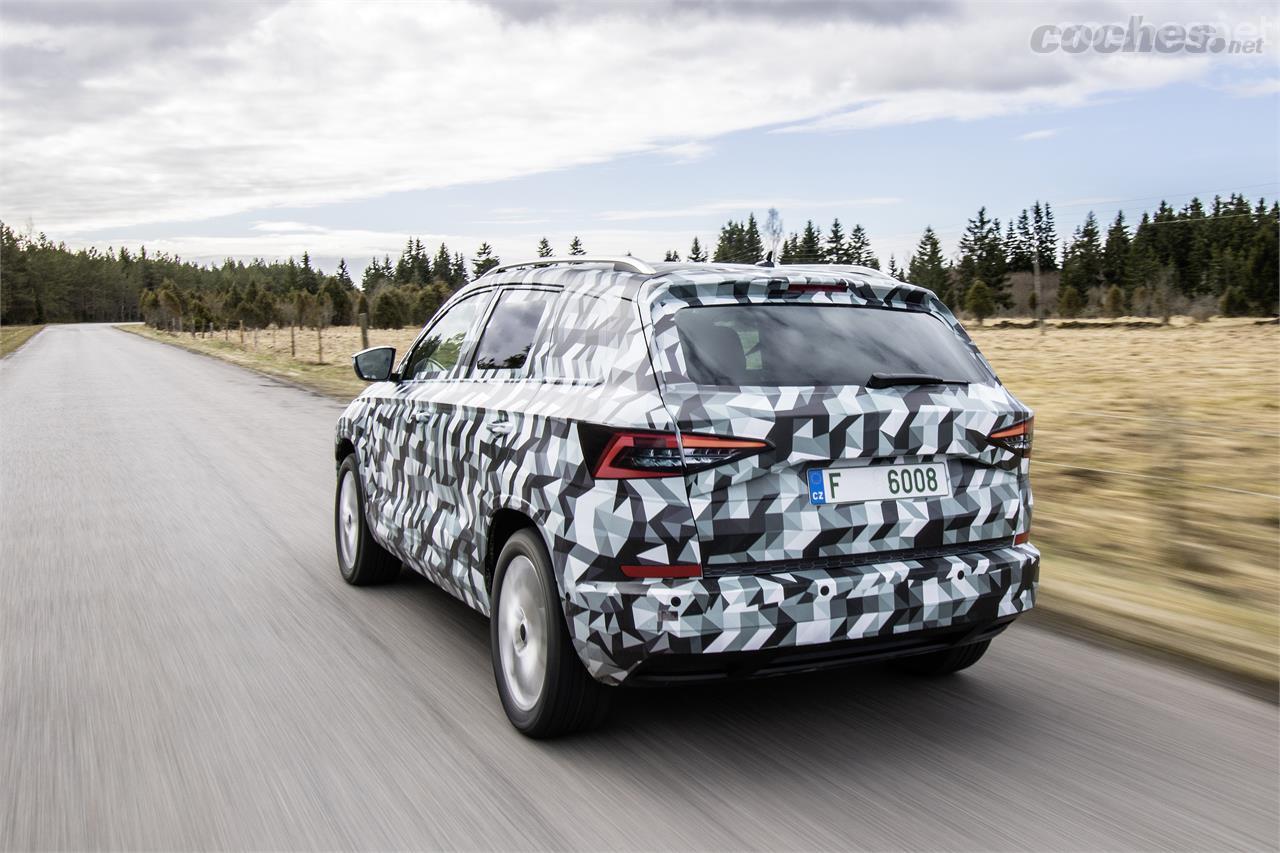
(1227,256)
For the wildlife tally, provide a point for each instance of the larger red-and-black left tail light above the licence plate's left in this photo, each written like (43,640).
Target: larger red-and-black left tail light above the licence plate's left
(629,455)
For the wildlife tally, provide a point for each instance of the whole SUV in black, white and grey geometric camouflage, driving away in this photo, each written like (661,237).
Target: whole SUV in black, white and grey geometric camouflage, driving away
(675,472)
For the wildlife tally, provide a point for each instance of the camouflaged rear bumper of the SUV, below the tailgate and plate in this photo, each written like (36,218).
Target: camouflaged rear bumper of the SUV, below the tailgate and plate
(761,624)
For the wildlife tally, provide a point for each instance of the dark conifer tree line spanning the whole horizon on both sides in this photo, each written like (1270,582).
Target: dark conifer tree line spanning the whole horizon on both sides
(1226,254)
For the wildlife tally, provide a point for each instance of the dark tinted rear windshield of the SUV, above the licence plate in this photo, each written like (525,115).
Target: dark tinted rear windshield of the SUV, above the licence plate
(819,345)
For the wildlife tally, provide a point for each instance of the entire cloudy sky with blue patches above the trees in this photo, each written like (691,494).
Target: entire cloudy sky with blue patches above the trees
(269,129)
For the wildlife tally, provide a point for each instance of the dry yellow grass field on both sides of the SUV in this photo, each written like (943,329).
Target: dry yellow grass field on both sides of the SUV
(1156,472)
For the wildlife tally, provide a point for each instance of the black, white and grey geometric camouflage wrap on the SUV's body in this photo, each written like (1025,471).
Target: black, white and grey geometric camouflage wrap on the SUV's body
(779,572)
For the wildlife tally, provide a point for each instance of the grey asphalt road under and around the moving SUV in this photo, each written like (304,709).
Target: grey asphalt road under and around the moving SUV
(181,667)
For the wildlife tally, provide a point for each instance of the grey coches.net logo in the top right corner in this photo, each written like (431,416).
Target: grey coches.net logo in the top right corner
(1141,38)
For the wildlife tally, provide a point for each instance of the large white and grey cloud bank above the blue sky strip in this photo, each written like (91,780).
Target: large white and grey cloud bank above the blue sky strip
(124,115)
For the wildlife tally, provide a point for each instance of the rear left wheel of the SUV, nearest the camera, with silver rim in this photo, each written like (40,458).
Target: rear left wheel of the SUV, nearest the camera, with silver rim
(545,688)
